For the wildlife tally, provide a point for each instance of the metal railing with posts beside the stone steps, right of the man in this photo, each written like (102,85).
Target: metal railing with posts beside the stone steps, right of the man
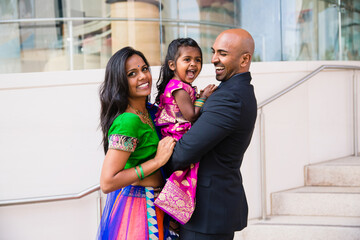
(283,92)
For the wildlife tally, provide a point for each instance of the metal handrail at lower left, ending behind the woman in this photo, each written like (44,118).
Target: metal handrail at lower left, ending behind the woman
(52,198)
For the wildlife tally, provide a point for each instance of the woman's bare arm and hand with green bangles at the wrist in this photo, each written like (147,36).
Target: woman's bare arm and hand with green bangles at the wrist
(114,176)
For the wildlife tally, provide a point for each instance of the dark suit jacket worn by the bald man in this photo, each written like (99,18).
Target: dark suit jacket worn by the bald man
(218,139)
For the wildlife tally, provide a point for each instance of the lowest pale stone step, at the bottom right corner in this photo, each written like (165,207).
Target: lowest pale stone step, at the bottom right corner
(302,228)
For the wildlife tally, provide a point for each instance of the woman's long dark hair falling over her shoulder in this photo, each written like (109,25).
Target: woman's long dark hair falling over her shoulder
(114,91)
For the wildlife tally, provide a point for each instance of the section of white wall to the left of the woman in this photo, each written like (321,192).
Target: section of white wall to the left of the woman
(49,145)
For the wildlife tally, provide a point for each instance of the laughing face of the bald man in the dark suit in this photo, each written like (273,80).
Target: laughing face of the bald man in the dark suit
(226,56)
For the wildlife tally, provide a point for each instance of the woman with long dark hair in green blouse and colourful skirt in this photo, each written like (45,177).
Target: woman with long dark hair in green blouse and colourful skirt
(130,173)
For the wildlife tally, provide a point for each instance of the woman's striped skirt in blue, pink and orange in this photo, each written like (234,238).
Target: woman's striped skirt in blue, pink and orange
(130,214)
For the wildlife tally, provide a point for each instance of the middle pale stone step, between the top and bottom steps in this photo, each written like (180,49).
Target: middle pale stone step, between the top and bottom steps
(317,201)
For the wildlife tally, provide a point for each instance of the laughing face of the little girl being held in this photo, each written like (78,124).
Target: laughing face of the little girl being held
(188,65)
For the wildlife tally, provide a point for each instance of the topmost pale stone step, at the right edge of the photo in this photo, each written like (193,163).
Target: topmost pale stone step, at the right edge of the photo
(339,172)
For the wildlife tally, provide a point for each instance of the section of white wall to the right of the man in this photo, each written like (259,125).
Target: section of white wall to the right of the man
(311,124)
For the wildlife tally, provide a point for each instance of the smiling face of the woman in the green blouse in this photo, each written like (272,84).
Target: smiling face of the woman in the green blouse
(138,76)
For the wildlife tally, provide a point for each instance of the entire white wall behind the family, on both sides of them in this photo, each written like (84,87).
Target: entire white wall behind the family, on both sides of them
(50,143)
